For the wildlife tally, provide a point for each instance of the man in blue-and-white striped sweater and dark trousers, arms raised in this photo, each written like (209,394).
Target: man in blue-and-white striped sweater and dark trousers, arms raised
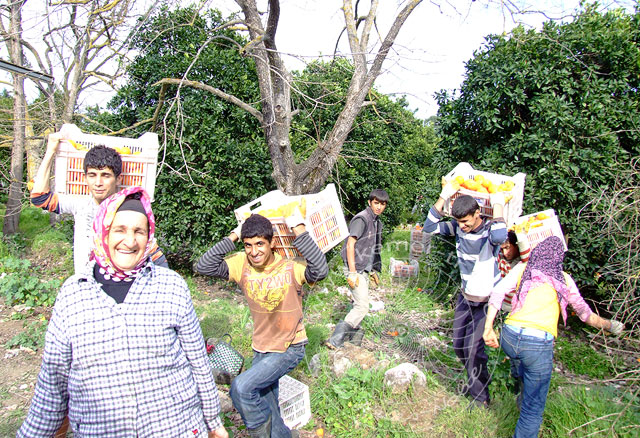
(478,243)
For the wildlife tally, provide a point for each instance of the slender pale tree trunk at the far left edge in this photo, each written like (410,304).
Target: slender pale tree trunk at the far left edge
(14,202)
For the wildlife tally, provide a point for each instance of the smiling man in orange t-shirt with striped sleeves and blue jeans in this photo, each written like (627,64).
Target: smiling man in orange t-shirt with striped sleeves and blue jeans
(272,286)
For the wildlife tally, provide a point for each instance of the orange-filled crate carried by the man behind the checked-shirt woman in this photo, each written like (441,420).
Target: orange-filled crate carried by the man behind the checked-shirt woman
(138,168)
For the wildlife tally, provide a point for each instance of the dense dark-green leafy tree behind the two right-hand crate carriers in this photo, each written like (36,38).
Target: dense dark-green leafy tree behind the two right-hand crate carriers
(560,105)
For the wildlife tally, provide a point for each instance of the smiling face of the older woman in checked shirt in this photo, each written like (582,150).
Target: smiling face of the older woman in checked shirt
(127,239)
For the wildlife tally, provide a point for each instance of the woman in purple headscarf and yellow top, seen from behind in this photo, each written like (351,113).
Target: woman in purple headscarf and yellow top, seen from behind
(542,292)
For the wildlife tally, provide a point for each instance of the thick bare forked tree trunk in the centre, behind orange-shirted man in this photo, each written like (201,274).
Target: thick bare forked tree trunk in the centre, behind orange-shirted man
(276,113)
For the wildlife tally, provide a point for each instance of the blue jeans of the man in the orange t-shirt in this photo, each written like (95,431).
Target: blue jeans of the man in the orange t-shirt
(255,392)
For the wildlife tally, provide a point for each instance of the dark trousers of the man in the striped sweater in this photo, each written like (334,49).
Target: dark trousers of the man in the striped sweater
(468,325)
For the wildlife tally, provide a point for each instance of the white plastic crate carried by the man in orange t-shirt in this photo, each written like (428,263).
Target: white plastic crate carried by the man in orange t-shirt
(323,218)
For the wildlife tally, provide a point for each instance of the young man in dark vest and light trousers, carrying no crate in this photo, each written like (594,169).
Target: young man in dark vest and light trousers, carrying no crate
(361,257)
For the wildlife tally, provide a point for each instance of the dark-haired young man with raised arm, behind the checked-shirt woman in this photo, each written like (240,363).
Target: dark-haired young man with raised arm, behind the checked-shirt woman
(102,169)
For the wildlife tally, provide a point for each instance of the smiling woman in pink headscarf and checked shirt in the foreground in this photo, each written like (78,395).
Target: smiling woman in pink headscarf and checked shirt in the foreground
(124,352)
